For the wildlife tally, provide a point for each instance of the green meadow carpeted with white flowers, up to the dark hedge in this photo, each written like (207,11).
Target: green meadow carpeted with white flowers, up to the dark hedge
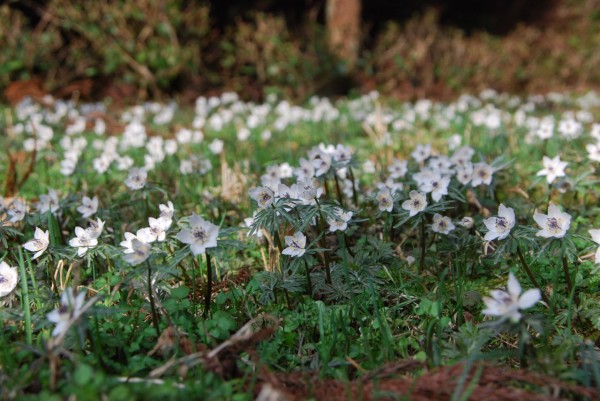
(356,249)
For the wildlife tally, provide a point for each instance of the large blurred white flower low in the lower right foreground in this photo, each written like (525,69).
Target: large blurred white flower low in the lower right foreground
(507,304)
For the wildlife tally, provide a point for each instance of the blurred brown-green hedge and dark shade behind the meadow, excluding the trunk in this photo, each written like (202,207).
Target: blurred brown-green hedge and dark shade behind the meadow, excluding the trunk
(151,48)
